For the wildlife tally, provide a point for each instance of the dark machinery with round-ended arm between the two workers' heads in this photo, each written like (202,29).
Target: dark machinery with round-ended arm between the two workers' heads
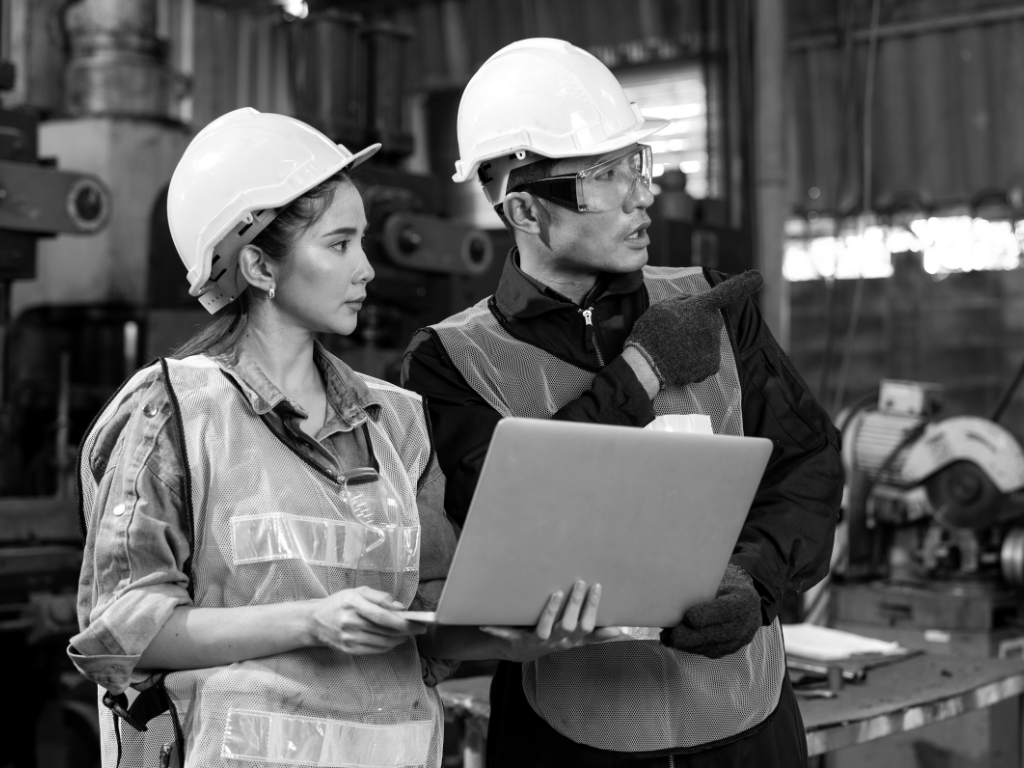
(428,266)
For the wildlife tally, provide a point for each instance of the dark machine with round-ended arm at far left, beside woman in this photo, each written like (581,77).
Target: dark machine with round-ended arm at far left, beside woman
(40,544)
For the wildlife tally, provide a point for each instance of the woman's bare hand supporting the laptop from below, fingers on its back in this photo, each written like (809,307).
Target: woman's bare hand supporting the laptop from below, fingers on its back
(552,634)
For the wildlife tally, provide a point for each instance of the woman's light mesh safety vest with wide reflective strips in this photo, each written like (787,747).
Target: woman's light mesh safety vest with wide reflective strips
(268,528)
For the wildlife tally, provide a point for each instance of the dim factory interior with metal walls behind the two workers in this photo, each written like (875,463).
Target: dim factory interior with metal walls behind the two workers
(867,156)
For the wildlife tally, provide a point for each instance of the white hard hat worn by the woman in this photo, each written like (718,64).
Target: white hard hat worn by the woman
(226,188)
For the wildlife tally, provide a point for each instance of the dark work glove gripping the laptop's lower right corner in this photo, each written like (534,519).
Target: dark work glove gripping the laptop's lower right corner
(722,626)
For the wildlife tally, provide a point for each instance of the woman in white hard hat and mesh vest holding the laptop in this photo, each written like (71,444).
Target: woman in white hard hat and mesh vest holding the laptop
(260,516)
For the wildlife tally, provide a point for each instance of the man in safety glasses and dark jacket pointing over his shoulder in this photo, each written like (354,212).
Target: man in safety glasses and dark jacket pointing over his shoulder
(580,330)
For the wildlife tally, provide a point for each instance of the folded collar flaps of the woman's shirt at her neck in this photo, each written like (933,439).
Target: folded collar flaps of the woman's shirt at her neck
(352,400)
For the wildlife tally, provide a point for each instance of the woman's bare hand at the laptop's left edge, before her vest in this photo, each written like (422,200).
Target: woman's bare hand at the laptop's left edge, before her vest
(362,621)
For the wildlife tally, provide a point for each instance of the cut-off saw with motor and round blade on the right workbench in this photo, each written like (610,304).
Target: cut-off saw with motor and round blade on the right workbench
(935,522)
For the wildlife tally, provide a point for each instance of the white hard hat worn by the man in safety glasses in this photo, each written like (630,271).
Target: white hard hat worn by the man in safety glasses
(542,98)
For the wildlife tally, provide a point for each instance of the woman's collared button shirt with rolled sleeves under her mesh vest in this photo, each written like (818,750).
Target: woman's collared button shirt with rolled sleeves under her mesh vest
(134,570)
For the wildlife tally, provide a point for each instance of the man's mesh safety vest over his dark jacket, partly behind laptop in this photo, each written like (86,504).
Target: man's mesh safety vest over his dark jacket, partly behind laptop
(632,696)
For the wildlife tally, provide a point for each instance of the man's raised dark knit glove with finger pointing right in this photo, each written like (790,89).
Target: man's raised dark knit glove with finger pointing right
(680,338)
